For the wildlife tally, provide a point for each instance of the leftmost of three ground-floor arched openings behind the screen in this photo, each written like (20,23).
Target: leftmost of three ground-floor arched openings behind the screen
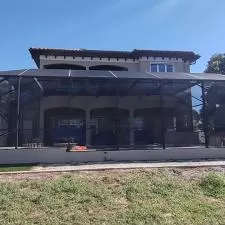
(62,124)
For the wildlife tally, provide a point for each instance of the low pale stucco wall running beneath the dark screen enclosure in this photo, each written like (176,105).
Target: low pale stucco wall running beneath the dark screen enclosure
(52,155)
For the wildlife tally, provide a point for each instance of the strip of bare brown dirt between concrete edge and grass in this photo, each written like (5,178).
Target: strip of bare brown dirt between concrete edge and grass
(186,173)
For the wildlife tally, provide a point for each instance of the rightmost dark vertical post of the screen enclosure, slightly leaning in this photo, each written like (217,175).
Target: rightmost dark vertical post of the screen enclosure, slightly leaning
(205,116)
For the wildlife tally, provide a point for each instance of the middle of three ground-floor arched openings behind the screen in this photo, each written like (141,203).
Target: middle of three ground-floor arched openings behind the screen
(110,126)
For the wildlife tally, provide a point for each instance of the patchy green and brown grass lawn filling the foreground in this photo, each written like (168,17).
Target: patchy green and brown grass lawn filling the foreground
(156,196)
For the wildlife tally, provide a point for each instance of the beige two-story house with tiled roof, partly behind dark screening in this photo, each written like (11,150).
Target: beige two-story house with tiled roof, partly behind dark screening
(106,119)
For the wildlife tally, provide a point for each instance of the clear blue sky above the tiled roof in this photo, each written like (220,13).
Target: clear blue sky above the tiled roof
(195,25)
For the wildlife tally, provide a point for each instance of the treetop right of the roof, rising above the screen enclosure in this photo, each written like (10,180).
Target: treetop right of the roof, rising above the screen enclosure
(216,64)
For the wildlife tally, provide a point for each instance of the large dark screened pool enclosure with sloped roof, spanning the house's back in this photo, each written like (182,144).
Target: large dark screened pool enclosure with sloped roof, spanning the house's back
(110,109)
